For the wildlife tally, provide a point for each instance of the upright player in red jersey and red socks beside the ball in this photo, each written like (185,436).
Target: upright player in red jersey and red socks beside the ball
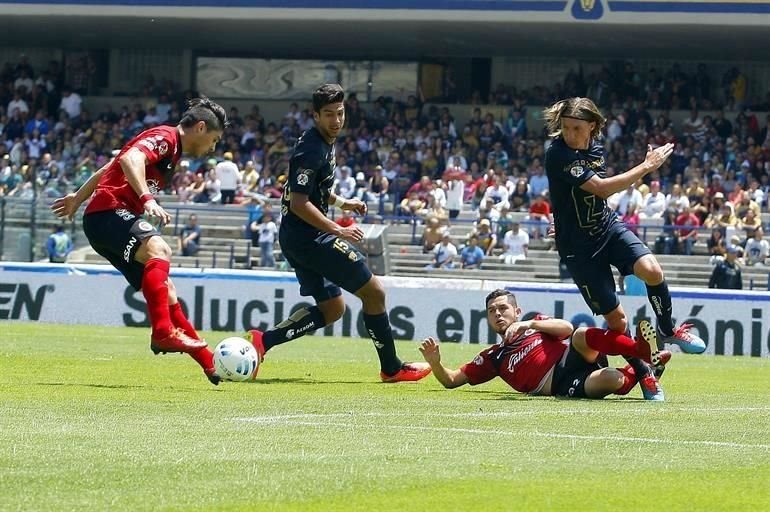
(118,220)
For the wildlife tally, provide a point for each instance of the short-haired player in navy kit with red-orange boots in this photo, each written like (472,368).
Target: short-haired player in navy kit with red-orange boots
(321,252)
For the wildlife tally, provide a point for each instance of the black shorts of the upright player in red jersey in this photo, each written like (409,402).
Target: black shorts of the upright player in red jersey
(117,235)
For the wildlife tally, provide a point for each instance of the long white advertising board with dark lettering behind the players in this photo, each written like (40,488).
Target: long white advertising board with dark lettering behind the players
(226,300)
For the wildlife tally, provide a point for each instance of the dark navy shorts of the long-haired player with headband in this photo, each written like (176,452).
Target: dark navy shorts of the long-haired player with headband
(592,273)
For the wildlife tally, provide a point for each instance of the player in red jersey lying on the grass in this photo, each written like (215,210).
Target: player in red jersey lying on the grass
(534,356)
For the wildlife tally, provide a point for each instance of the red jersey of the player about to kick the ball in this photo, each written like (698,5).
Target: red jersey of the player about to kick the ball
(163,148)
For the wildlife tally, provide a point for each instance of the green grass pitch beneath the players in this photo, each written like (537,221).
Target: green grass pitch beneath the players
(90,420)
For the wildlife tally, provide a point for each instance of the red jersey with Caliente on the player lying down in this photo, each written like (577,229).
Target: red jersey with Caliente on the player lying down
(524,364)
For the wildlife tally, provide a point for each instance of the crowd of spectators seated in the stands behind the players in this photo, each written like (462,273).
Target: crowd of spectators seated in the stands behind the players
(411,158)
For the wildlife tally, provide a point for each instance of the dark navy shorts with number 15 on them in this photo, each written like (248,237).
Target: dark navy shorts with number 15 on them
(323,264)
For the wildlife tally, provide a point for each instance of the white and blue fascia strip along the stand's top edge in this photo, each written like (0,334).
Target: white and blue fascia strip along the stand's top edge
(726,12)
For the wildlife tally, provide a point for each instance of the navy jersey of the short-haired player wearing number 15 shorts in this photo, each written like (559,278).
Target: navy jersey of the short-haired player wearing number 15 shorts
(311,172)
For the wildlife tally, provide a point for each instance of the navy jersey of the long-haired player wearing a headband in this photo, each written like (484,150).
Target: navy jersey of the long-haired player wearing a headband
(583,221)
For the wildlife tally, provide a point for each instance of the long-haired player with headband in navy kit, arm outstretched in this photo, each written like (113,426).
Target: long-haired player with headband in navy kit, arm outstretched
(589,235)
